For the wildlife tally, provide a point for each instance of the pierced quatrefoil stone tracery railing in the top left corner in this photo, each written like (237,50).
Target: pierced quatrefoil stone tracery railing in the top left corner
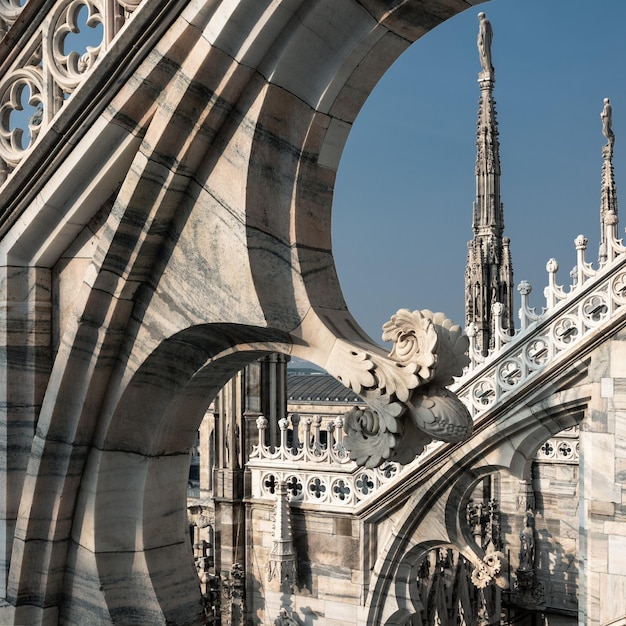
(50,65)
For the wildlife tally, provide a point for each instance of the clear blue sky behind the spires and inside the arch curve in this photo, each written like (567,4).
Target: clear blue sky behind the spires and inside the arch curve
(402,209)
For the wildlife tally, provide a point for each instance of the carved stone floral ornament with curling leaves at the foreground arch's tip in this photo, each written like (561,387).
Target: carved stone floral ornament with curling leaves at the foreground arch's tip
(408,403)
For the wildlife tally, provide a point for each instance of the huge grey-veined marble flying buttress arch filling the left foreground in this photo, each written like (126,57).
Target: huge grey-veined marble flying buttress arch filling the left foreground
(180,199)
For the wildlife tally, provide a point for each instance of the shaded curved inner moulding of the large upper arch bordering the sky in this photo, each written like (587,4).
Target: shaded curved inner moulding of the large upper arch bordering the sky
(289,228)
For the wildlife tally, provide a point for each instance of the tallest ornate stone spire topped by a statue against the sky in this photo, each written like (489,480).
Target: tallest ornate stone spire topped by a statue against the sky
(488,274)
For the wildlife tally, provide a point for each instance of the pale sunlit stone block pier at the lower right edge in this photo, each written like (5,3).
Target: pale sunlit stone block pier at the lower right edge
(603,490)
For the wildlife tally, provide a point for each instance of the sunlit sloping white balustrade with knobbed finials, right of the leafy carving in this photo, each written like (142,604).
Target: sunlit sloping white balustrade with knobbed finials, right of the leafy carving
(570,315)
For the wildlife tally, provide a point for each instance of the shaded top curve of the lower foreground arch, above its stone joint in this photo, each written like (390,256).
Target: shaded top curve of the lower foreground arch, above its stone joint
(181,377)
